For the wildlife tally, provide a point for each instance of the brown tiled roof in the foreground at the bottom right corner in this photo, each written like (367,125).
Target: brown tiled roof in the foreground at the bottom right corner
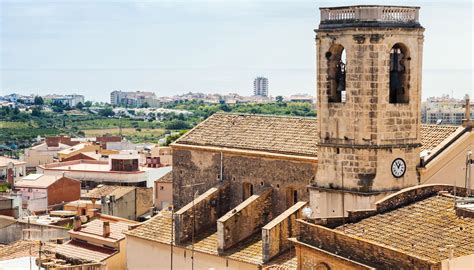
(420,229)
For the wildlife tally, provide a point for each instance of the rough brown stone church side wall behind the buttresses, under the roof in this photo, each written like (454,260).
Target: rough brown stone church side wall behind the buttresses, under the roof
(203,168)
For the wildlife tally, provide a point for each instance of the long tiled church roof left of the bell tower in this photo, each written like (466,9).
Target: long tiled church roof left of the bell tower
(269,133)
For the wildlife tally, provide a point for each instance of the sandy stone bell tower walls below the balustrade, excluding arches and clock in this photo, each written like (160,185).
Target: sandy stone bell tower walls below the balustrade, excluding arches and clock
(361,133)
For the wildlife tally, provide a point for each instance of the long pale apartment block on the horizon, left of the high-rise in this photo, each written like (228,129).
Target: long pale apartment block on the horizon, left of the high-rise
(133,99)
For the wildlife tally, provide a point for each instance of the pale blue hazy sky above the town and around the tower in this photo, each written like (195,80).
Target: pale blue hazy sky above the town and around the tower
(172,47)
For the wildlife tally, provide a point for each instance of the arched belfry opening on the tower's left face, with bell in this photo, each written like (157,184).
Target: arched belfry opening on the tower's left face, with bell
(336,88)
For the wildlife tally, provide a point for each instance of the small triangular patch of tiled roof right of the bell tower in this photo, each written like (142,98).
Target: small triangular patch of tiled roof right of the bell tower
(433,135)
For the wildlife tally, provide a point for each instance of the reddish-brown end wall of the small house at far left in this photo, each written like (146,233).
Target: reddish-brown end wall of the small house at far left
(64,190)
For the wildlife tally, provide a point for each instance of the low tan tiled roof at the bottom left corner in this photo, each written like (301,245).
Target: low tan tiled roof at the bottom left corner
(21,248)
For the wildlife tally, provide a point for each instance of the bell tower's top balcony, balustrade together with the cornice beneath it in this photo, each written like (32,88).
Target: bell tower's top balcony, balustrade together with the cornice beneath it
(370,16)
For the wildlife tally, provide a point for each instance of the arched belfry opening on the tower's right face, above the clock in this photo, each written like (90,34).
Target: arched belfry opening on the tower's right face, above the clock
(399,74)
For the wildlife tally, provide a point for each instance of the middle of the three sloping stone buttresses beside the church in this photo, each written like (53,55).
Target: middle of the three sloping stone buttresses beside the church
(244,220)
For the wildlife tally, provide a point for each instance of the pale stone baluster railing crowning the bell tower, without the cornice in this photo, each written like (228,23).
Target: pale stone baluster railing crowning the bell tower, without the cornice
(390,14)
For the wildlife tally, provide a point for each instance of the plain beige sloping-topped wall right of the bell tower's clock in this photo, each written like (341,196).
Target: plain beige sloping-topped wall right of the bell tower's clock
(449,166)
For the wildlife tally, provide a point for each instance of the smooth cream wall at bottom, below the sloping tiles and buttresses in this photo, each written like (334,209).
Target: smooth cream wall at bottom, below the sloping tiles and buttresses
(154,253)
